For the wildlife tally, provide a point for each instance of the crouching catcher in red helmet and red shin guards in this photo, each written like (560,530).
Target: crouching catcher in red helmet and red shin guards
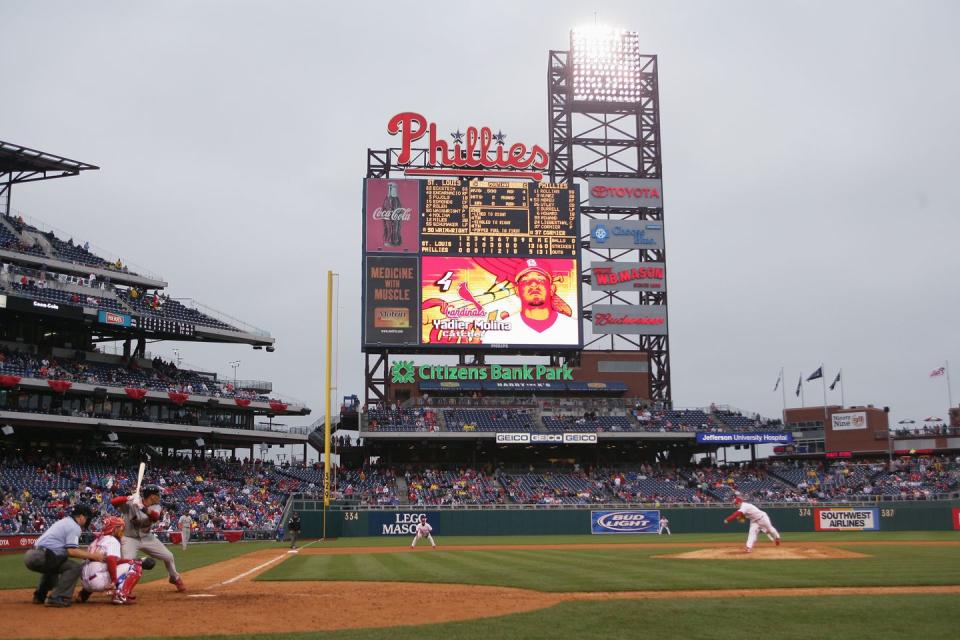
(115,576)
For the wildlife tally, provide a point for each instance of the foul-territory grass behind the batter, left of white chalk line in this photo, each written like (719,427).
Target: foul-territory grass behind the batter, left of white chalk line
(13,575)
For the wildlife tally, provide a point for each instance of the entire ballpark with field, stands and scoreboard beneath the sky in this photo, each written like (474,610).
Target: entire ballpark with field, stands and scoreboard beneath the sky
(514,466)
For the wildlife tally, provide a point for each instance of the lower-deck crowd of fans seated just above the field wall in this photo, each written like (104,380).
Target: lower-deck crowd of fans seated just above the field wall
(221,495)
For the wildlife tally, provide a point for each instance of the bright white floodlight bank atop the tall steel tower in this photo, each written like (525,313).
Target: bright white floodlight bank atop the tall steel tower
(605,65)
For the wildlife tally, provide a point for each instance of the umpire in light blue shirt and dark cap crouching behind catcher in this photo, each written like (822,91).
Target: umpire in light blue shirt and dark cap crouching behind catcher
(51,555)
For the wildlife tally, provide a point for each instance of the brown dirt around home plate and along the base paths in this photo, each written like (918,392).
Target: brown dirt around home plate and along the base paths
(223,599)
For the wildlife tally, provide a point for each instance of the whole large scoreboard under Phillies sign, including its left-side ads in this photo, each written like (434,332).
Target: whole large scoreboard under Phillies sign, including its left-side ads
(470,264)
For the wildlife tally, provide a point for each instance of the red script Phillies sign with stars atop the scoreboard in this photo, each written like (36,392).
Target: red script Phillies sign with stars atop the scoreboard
(479,154)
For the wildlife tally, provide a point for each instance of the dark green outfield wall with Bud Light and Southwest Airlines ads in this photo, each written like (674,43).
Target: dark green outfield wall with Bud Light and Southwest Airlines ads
(891,516)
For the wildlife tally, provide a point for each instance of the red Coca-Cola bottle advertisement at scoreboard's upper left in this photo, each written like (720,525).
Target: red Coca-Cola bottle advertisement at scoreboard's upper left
(392,209)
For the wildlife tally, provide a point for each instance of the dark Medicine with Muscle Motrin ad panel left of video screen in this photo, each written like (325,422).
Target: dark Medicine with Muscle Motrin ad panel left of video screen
(391,300)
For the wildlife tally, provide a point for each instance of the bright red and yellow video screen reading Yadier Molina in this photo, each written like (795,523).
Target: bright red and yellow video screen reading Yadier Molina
(499,301)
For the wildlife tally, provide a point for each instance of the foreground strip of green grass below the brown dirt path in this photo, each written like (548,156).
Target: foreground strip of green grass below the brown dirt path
(800,618)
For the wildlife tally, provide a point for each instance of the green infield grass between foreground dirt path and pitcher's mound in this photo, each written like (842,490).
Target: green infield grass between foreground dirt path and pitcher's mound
(627,569)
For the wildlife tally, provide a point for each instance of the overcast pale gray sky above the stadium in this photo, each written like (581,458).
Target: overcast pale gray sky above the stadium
(810,157)
